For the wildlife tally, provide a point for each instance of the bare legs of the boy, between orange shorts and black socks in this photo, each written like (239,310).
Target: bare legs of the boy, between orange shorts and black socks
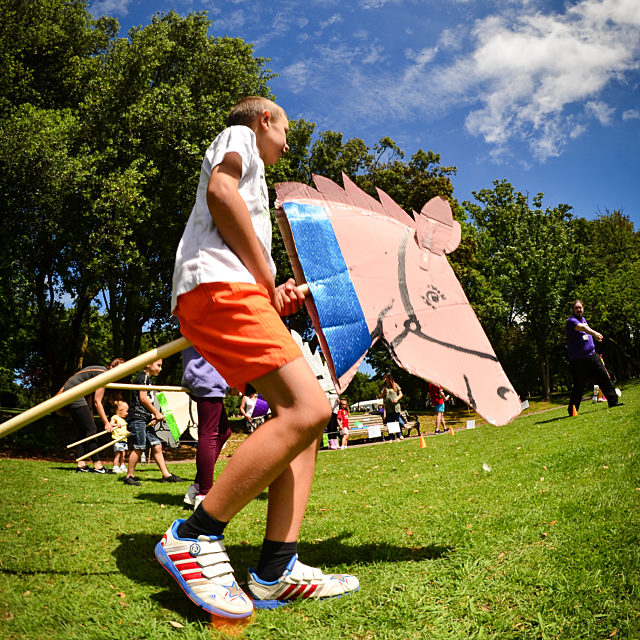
(301,411)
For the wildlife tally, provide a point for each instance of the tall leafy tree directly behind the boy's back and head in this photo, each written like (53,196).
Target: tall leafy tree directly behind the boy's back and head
(159,99)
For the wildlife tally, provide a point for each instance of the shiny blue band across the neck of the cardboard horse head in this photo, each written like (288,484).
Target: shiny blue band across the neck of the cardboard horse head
(341,317)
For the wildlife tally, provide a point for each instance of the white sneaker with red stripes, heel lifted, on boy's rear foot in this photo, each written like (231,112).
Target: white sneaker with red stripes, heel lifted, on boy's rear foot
(201,568)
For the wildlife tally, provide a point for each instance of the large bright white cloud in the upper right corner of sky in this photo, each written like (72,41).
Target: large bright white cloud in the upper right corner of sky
(529,77)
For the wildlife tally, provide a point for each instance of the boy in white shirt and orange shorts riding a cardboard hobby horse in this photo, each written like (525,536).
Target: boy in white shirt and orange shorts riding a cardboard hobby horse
(224,295)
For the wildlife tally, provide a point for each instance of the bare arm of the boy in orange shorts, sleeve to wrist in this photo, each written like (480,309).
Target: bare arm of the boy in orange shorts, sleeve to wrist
(232,218)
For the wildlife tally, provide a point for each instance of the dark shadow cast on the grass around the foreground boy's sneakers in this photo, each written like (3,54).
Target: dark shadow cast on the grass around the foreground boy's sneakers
(134,558)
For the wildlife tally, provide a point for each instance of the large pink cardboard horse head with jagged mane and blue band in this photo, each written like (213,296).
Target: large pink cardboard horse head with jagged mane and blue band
(376,273)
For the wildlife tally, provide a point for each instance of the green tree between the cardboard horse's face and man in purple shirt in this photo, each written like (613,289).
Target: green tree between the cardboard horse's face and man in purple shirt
(527,257)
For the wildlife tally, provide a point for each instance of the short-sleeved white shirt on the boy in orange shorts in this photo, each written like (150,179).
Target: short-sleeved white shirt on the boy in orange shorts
(202,255)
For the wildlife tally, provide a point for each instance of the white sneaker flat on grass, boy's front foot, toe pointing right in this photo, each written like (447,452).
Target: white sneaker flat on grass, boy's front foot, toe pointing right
(299,581)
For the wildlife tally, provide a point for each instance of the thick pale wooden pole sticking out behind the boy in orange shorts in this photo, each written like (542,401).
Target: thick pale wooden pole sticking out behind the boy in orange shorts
(88,387)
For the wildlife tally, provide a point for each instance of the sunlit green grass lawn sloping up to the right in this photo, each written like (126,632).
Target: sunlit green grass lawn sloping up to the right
(542,545)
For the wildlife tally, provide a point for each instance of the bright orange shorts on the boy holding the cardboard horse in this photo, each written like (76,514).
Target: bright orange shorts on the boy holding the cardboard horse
(234,326)
